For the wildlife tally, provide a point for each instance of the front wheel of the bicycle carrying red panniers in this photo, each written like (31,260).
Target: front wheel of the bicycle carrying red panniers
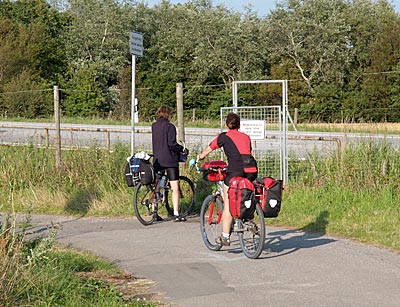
(210,221)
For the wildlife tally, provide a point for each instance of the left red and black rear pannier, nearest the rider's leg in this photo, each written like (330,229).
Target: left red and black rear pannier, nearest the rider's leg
(242,202)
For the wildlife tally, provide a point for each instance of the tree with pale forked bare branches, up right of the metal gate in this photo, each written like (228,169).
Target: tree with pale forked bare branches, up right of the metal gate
(313,34)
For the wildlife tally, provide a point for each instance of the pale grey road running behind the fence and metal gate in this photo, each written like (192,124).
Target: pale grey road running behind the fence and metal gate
(300,144)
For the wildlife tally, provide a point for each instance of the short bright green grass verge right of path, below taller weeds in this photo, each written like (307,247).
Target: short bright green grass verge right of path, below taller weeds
(367,216)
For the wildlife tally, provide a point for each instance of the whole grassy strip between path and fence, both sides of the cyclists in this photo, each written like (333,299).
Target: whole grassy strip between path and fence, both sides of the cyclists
(357,196)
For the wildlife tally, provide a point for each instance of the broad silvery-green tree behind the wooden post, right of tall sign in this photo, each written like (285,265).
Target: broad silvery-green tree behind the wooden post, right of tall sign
(201,45)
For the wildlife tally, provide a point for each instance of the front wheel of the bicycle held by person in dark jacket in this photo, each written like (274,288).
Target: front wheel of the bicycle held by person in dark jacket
(186,197)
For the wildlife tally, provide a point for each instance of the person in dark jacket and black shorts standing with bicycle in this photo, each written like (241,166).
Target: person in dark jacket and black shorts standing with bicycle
(166,153)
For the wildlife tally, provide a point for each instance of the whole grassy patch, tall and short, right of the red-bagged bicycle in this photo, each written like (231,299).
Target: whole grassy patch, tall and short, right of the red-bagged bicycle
(357,197)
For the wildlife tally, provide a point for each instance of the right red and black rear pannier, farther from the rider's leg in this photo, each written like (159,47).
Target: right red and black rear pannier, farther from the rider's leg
(269,191)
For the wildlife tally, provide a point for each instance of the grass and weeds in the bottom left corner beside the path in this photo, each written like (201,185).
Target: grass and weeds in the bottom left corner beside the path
(35,272)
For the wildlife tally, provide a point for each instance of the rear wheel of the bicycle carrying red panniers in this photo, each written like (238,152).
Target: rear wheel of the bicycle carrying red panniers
(251,234)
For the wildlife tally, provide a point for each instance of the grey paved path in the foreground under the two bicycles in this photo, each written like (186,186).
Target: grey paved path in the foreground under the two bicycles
(295,269)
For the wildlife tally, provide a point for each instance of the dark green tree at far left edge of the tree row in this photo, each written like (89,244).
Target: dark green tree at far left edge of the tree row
(31,57)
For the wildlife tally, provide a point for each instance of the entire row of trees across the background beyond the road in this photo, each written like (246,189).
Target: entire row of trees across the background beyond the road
(341,57)
